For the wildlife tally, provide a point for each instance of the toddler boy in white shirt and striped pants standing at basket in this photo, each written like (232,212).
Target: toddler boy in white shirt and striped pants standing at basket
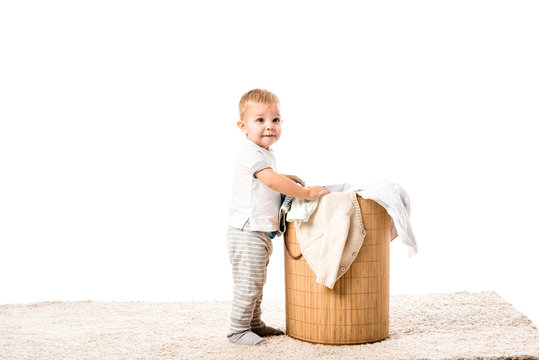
(254,212)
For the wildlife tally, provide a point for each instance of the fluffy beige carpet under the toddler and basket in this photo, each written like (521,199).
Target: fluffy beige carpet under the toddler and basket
(439,326)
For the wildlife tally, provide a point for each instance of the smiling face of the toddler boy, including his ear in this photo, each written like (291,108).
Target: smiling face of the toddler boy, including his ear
(261,124)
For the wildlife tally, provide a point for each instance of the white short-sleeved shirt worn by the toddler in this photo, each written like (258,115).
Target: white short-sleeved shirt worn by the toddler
(252,199)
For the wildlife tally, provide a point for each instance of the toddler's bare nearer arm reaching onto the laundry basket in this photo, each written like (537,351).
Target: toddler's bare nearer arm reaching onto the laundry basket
(286,186)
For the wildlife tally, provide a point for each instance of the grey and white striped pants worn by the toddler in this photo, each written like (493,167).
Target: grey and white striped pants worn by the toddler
(249,253)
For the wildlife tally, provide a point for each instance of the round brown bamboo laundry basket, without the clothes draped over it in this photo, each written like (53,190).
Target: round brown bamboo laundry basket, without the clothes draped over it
(356,310)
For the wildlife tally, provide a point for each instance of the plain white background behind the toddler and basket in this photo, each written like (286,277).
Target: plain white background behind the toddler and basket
(118,138)
